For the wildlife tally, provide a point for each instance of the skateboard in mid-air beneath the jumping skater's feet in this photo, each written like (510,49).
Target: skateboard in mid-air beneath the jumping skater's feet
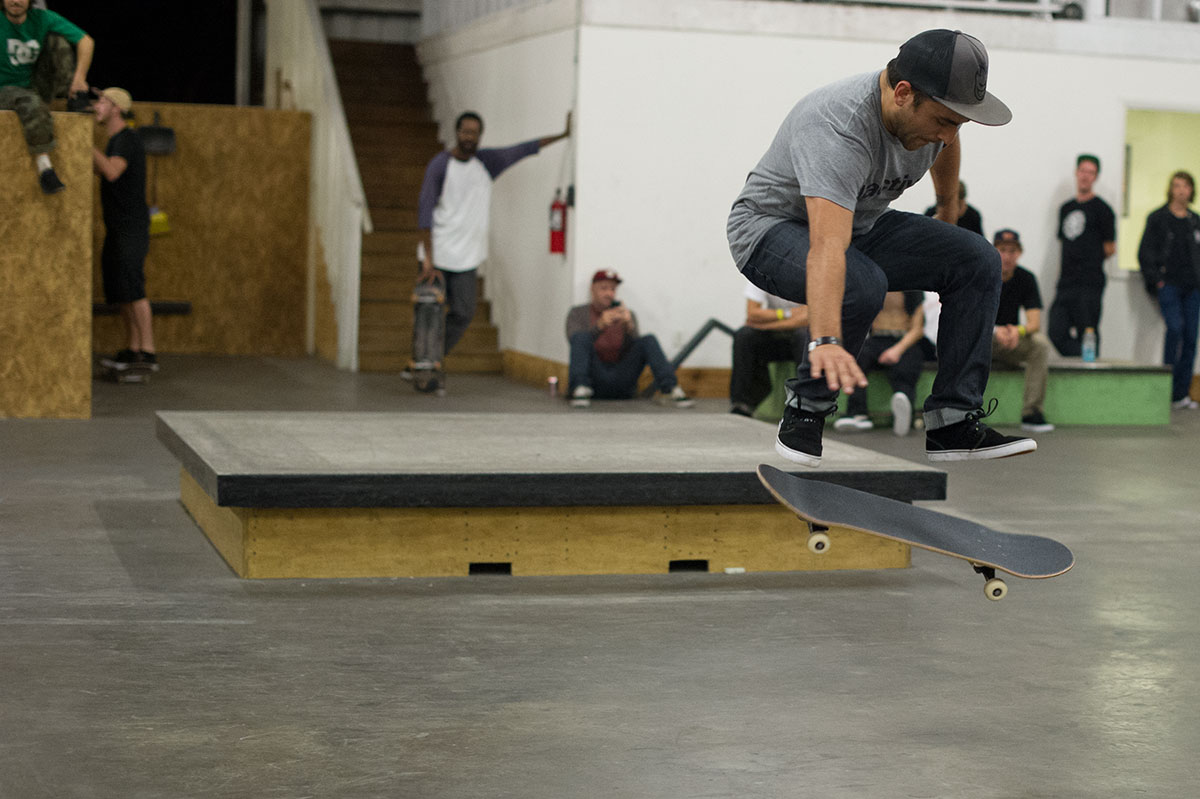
(823,506)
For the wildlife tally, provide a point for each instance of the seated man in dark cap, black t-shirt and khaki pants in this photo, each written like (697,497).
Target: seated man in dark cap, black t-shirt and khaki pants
(1015,344)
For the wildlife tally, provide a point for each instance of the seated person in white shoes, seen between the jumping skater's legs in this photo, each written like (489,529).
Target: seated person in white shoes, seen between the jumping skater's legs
(892,344)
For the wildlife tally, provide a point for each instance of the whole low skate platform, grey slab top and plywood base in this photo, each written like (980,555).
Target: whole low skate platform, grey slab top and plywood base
(452,495)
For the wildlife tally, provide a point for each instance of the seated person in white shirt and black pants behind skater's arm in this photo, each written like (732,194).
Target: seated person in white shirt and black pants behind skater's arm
(776,331)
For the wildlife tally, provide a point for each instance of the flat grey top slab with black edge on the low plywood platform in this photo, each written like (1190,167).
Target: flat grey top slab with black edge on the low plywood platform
(272,460)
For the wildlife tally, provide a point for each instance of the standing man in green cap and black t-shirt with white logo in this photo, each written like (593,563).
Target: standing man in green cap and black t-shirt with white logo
(1088,231)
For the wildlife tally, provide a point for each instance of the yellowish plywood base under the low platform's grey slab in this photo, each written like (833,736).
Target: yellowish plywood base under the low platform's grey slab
(447,542)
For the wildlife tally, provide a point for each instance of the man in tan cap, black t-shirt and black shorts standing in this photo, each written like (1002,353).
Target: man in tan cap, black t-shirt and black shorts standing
(123,200)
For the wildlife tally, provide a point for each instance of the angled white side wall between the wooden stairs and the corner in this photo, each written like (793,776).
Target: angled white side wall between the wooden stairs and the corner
(523,87)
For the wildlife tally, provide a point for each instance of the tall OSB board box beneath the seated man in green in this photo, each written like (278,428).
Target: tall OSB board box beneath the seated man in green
(46,275)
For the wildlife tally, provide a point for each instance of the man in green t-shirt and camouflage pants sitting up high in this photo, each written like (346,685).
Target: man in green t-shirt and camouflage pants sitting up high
(26,35)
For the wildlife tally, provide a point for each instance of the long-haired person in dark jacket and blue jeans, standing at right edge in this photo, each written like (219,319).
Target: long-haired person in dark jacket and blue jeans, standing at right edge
(1169,256)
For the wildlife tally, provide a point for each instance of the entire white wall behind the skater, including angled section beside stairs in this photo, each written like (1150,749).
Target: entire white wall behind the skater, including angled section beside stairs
(679,99)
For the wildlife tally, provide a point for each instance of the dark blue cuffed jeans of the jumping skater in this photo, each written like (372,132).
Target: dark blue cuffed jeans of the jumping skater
(902,253)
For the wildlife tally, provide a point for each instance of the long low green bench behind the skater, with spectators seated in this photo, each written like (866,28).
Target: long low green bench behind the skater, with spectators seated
(1105,393)
